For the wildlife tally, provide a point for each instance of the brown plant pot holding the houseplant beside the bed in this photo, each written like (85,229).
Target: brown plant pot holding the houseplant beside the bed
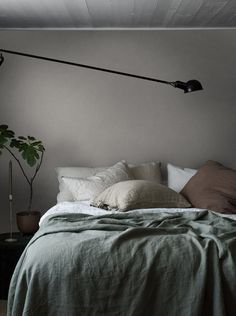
(28,222)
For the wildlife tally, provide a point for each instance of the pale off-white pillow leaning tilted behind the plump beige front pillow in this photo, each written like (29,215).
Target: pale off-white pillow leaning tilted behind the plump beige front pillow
(85,189)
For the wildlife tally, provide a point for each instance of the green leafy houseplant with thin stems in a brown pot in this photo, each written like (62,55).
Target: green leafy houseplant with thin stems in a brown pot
(31,151)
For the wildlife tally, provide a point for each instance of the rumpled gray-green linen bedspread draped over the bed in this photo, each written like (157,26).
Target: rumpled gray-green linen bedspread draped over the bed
(128,264)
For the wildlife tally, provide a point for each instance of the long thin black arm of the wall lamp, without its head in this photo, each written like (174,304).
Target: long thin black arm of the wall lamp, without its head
(84,66)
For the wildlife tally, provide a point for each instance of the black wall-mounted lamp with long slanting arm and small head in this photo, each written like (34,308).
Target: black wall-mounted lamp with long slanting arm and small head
(189,86)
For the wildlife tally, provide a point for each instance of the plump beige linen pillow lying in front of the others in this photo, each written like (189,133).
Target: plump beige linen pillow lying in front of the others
(133,194)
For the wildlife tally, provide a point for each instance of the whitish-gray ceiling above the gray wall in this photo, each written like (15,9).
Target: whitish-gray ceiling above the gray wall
(117,13)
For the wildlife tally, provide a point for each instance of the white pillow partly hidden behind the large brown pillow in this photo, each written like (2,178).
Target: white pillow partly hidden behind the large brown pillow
(178,177)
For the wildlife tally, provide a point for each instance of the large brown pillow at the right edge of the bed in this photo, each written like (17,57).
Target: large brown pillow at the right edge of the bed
(212,187)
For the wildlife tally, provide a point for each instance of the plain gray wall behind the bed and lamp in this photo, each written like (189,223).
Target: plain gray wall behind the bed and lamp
(88,118)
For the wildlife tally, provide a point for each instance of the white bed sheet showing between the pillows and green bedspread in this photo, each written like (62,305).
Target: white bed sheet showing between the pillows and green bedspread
(84,208)
